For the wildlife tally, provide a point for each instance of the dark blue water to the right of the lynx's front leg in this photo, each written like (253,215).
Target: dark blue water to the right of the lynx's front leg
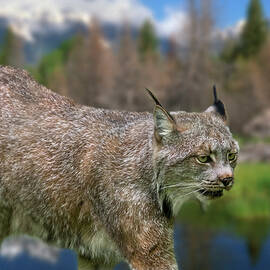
(203,249)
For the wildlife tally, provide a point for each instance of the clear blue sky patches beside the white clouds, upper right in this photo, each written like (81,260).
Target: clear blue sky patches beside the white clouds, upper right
(228,13)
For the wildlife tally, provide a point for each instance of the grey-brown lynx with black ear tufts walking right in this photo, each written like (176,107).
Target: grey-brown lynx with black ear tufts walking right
(106,184)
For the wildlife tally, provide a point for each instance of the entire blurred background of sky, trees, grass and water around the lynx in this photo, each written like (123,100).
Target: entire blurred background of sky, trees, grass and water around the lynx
(104,53)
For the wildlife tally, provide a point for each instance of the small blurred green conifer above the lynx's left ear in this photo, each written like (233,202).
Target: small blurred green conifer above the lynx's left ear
(148,42)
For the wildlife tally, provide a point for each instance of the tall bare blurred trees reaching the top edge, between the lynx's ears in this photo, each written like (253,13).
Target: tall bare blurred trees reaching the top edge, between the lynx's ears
(197,66)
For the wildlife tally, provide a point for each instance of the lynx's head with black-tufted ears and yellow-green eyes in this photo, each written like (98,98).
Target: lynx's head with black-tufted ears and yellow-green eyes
(194,154)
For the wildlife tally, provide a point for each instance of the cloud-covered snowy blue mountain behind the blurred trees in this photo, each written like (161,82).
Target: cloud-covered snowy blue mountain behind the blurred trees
(44,25)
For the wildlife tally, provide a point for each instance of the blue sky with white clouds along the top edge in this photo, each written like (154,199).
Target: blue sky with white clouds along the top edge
(29,16)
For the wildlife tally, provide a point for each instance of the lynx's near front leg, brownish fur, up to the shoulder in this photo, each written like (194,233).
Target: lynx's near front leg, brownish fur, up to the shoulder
(134,221)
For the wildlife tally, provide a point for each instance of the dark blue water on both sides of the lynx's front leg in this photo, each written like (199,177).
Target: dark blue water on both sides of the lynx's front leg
(196,247)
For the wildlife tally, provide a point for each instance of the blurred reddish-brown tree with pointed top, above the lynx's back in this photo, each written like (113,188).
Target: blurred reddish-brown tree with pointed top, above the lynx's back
(90,69)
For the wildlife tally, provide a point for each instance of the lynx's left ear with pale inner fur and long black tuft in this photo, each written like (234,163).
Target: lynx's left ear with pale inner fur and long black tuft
(164,122)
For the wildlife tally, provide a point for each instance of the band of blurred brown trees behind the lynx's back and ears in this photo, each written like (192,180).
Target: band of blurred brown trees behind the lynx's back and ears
(92,73)
